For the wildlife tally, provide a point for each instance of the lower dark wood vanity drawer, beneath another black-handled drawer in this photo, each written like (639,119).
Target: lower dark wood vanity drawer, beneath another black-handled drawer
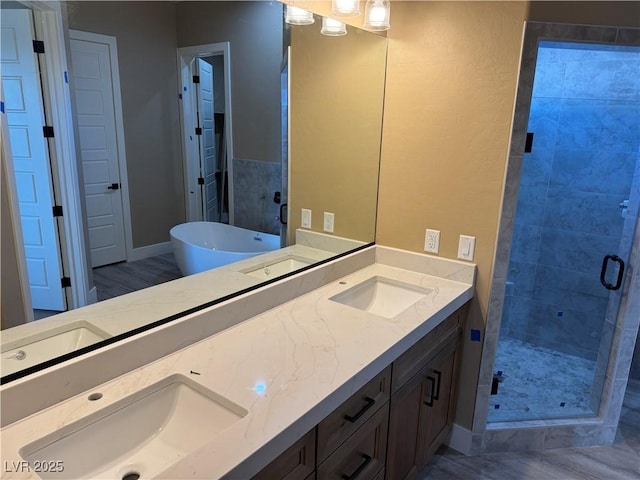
(362,456)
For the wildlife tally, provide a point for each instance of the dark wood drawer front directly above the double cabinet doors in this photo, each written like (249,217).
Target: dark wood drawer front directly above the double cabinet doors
(414,359)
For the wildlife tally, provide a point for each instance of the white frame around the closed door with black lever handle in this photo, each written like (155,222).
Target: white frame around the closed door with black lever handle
(119,121)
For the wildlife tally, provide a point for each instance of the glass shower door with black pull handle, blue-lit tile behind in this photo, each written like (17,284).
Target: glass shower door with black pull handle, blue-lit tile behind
(572,233)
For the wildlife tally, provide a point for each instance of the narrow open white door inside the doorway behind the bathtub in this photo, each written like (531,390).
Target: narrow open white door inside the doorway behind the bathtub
(208,163)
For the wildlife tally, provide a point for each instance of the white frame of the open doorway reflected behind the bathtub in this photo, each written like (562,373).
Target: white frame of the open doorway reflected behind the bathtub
(190,151)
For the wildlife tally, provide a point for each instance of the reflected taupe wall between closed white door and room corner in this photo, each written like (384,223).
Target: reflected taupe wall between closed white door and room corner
(146,41)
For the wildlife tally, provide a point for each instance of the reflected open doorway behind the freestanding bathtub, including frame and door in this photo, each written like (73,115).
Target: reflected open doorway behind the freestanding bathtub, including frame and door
(206,121)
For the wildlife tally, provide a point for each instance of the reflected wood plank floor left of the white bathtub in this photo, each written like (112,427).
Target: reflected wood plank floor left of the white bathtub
(126,277)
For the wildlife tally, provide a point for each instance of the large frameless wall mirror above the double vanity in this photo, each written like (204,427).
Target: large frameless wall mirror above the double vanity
(210,113)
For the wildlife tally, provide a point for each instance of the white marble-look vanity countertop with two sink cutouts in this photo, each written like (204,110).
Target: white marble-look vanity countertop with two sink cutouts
(310,354)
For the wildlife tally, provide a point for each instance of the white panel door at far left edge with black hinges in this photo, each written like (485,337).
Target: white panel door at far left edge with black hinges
(25,117)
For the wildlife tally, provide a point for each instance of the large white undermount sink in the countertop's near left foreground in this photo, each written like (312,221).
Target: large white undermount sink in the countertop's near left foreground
(138,436)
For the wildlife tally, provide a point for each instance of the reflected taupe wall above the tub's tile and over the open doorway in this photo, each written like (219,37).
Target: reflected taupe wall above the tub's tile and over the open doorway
(254,30)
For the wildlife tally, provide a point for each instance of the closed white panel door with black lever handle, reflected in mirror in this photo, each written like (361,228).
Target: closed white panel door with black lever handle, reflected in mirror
(93,89)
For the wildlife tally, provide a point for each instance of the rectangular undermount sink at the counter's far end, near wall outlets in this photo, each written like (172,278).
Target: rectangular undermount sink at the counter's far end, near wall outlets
(382,296)
